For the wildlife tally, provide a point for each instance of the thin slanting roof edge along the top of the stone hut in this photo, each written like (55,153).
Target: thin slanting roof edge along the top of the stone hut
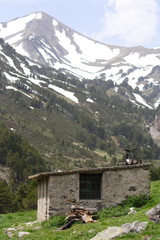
(88,170)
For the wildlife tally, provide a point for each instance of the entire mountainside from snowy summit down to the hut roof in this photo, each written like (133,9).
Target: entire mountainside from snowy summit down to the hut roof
(78,101)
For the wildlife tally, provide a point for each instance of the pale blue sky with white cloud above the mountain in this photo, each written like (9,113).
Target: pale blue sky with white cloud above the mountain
(117,22)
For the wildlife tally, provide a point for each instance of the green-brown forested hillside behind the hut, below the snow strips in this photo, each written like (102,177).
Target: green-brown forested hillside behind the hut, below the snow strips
(65,132)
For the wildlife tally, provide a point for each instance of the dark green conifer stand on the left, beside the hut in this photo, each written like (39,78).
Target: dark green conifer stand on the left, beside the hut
(21,160)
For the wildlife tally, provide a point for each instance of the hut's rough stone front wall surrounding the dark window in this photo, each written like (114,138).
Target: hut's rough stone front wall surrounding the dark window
(116,185)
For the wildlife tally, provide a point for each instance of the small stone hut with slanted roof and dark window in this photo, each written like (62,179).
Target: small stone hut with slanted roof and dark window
(97,188)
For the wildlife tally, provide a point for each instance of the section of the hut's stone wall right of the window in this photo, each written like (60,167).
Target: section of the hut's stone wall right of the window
(124,182)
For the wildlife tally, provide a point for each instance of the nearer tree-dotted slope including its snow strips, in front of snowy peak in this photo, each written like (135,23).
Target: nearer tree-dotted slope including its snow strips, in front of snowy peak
(45,104)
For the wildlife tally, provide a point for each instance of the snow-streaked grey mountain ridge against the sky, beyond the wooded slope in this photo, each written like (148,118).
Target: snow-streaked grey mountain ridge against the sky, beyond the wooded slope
(48,42)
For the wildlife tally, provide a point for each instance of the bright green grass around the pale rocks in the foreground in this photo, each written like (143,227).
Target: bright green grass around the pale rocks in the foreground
(87,231)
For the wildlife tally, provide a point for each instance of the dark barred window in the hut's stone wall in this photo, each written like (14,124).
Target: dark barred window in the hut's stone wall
(90,186)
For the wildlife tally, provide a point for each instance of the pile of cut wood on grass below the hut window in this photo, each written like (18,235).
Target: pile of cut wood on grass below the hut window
(79,214)
